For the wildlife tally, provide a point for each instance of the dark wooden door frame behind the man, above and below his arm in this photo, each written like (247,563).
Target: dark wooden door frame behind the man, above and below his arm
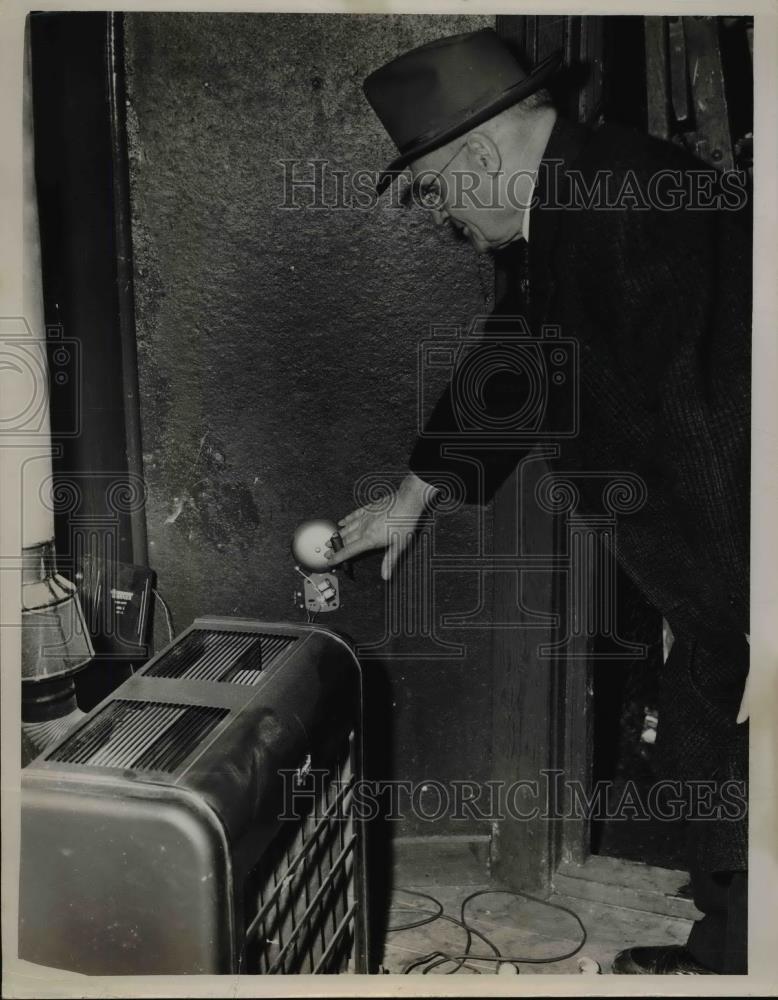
(541,706)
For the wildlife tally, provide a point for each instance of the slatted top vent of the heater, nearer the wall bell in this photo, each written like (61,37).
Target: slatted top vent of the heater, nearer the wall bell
(221,655)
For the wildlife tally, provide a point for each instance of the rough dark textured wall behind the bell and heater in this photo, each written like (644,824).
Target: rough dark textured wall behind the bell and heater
(278,348)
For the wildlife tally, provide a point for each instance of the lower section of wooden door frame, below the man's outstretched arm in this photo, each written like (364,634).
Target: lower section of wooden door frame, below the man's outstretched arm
(542,718)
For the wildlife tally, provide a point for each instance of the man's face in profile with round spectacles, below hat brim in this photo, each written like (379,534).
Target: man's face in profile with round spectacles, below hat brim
(455,185)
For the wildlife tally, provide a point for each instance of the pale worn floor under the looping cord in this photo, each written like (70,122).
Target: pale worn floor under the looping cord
(525,929)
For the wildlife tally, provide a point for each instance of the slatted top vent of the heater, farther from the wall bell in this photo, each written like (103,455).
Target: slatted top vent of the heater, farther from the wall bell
(140,736)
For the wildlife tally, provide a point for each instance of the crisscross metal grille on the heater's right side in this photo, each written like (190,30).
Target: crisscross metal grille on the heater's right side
(299,901)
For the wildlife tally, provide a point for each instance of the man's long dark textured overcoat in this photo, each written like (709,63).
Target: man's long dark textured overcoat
(642,255)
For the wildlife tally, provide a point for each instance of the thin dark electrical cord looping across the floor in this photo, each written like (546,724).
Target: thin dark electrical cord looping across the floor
(437,958)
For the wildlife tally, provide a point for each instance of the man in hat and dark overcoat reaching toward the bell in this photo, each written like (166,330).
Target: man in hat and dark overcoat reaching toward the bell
(643,257)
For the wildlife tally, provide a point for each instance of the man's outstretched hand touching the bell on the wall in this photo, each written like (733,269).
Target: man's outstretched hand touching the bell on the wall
(389,524)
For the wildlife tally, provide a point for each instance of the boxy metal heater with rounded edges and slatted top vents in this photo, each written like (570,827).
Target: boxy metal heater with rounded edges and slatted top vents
(200,819)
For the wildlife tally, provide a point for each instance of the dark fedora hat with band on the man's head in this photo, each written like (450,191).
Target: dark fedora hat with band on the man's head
(437,92)
